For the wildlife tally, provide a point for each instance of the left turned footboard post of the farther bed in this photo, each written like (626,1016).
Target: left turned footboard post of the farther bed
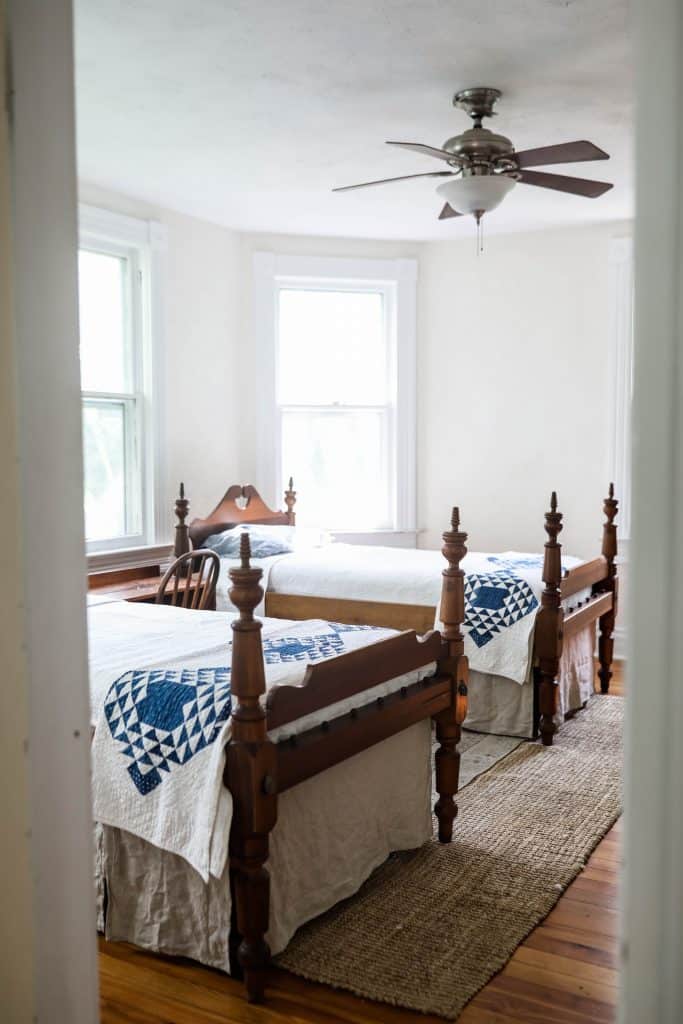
(549,627)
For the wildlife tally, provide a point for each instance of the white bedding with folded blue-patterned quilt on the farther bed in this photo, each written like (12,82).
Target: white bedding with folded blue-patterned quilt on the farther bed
(503,592)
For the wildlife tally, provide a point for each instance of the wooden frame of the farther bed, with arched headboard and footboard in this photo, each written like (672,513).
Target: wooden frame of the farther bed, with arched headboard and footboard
(553,625)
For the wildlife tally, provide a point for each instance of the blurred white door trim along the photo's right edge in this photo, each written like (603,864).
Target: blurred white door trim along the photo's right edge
(653,982)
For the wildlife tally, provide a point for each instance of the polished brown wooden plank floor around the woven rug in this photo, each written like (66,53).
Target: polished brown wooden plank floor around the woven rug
(565,973)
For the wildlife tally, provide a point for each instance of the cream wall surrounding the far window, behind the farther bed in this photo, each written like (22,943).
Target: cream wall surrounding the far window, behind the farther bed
(513,372)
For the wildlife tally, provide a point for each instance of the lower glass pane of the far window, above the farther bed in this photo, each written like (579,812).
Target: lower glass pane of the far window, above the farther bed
(339,462)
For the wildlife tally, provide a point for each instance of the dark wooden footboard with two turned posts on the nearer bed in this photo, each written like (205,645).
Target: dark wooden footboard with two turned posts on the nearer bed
(258,771)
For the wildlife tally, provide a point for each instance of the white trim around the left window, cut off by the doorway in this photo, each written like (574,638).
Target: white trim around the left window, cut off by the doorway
(149,240)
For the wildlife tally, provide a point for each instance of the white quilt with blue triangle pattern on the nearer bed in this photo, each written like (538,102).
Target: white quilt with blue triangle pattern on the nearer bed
(158,751)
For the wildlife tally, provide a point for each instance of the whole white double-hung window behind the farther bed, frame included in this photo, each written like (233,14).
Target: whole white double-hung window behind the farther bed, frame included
(339,342)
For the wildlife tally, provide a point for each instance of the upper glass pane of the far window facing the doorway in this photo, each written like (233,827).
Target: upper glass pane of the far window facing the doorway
(332,349)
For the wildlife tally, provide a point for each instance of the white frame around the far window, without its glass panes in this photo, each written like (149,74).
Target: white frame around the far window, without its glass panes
(397,280)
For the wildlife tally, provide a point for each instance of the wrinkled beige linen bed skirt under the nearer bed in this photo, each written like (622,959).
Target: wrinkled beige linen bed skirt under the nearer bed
(332,832)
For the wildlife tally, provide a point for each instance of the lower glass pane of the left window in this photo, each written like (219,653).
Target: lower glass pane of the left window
(106,473)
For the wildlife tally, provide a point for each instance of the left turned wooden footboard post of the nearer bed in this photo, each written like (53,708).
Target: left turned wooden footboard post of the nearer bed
(250,776)
